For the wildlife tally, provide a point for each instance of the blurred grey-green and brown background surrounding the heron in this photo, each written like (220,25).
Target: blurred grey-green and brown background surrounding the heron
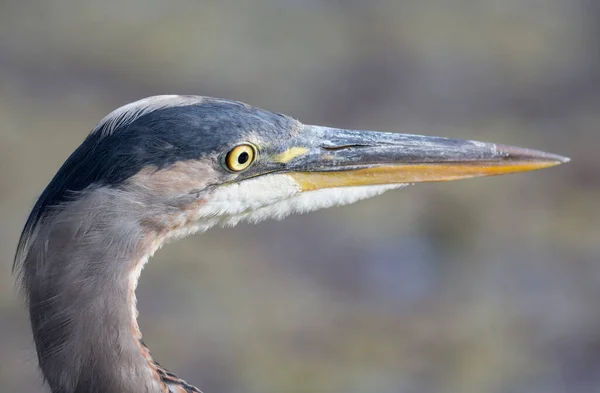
(487,285)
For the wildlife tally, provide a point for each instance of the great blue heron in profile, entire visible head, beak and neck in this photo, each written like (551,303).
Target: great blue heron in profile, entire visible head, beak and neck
(167,166)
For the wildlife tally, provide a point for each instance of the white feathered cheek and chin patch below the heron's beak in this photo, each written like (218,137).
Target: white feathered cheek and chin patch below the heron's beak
(275,197)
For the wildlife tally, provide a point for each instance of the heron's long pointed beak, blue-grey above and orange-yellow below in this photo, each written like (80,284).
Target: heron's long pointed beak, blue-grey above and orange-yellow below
(322,157)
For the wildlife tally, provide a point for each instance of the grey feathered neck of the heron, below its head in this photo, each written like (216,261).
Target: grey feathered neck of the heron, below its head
(80,279)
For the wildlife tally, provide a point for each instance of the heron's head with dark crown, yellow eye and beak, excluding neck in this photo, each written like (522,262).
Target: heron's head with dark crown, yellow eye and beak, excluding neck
(205,162)
